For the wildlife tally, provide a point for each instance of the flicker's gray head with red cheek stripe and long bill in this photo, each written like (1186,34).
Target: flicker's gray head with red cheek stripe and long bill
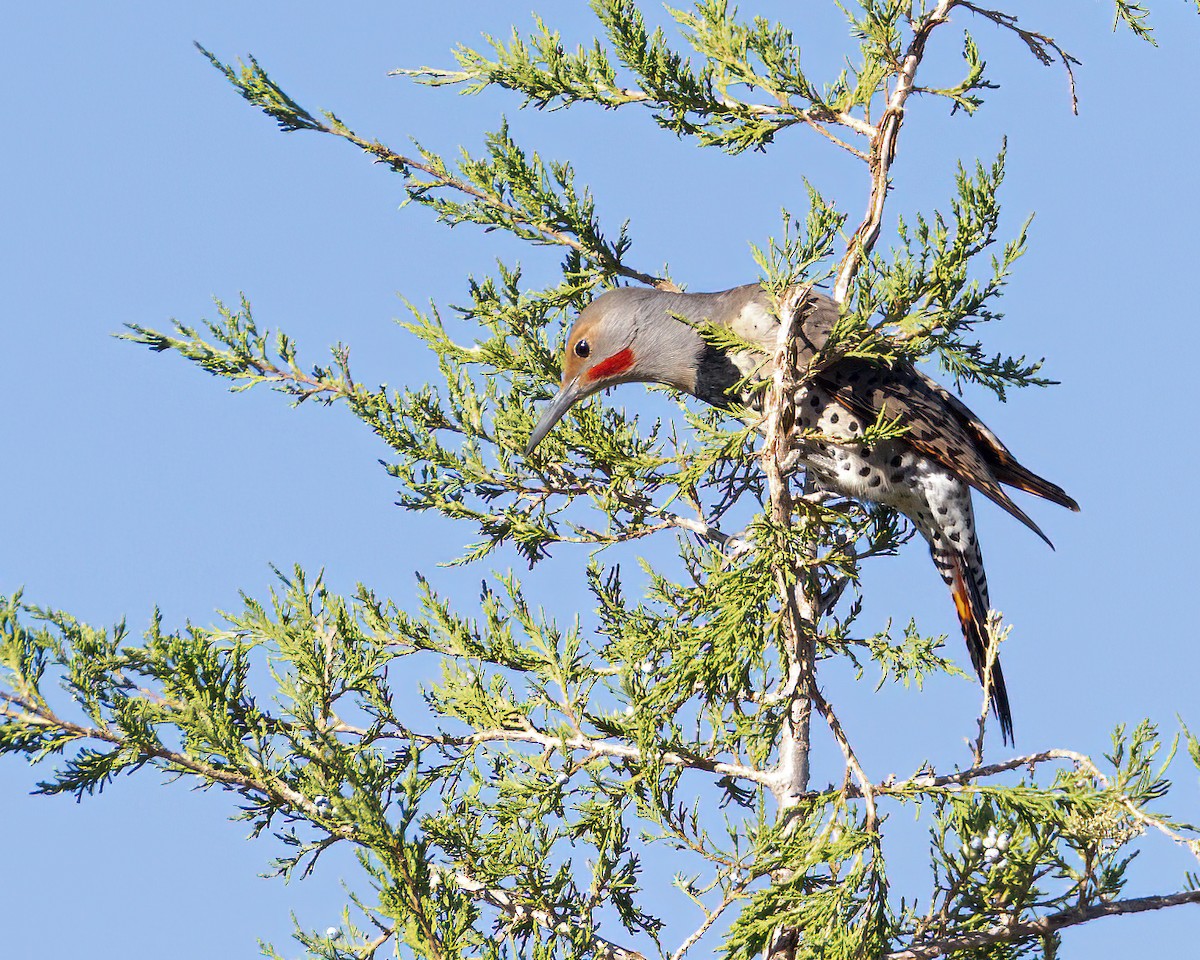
(625,337)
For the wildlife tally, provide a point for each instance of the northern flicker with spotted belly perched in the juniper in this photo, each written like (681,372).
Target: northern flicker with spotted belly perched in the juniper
(649,335)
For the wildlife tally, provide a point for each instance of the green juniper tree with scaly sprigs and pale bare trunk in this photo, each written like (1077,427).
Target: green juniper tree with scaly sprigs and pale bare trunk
(514,814)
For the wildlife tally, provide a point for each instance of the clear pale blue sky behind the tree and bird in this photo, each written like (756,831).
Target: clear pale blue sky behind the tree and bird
(140,187)
